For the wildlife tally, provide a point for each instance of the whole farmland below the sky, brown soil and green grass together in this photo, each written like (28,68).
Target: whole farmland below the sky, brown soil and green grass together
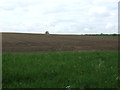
(59,61)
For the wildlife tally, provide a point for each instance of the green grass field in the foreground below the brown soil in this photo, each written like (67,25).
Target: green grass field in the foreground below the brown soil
(61,70)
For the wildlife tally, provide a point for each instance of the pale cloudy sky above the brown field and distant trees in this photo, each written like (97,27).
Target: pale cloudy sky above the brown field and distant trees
(59,16)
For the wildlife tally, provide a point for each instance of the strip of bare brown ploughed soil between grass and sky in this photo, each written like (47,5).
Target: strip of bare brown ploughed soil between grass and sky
(17,42)
